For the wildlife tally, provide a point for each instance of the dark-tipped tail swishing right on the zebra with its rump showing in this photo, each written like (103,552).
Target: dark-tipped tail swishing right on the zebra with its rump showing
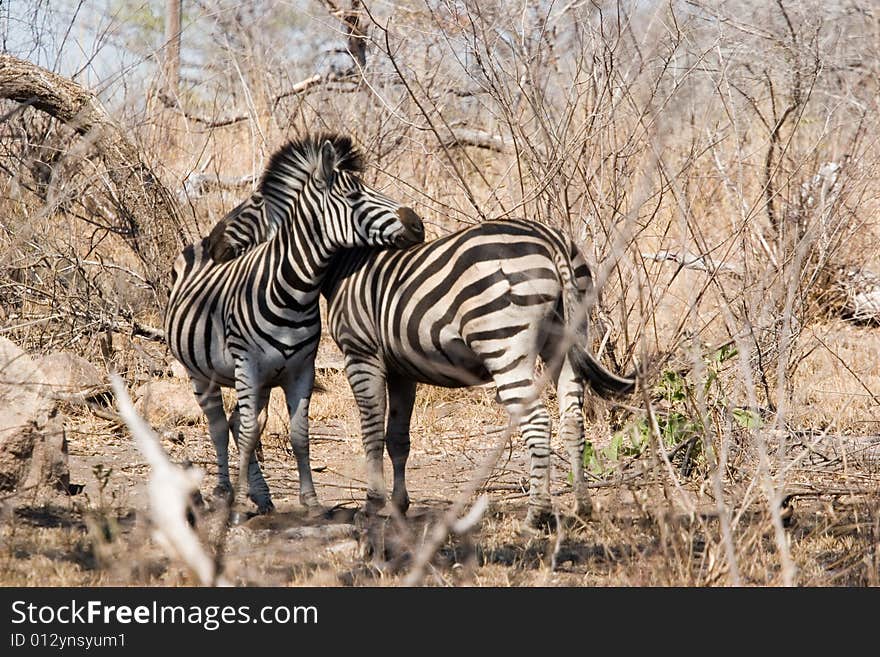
(605,382)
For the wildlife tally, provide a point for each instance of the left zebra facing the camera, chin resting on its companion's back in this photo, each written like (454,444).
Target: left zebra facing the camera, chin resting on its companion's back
(250,320)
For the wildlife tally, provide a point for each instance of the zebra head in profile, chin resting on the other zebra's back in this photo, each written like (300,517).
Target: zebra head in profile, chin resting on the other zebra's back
(354,214)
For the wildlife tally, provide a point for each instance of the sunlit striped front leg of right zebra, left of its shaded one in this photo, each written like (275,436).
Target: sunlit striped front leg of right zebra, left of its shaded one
(367,379)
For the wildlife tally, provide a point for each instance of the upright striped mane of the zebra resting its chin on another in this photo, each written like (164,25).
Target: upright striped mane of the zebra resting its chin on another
(299,157)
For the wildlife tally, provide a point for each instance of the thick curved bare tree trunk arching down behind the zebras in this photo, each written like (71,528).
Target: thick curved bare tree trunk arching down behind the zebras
(147,214)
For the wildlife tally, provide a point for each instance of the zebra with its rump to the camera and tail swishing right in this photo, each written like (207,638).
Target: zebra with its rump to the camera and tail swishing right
(476,306)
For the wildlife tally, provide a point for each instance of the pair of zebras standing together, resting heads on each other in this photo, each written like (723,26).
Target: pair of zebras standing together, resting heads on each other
(476,306)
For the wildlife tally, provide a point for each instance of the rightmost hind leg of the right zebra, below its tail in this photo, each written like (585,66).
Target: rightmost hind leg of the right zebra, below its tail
(570,392)
